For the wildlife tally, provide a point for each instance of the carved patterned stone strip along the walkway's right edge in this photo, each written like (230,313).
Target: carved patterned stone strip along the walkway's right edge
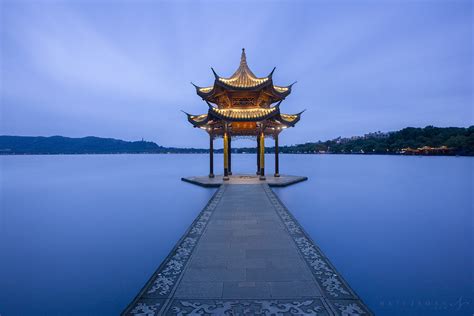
(337,292)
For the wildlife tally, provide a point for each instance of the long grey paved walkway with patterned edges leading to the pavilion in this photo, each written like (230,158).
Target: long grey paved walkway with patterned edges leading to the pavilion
(246,254)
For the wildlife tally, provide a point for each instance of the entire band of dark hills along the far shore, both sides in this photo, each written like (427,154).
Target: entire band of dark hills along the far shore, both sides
(410,141)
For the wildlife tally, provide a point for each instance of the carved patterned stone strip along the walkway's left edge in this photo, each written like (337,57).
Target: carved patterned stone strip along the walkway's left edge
(154,296)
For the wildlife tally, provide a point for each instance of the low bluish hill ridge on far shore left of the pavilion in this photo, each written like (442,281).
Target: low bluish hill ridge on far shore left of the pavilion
(87,145)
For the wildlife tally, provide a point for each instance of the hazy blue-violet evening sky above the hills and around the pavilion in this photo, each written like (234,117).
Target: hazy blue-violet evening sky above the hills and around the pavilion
(122,69)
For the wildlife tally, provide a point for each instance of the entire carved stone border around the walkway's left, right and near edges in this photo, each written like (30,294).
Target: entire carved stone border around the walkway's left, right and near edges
(156,297)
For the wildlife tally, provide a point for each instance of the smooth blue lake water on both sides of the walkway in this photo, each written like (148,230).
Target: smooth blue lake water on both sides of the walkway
(80,235)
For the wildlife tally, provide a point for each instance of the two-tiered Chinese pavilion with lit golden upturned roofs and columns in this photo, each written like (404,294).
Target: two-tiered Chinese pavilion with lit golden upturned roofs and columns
(243,106)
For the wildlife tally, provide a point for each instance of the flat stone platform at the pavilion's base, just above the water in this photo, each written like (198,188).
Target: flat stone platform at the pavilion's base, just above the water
(281,181)
